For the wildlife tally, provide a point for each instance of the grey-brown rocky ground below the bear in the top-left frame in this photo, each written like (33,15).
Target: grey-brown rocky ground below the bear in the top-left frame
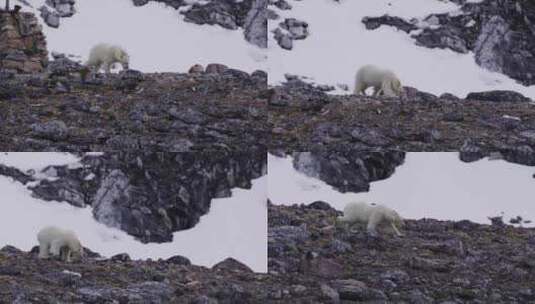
(218,109)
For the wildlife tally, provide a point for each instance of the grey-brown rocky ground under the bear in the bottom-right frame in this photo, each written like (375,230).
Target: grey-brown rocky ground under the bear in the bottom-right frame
(435,262)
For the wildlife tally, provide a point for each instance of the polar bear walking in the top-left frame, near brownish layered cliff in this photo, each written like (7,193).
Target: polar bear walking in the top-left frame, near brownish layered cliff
(106,55)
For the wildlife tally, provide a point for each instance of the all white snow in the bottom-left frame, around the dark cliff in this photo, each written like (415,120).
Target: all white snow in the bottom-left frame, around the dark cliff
(235,227)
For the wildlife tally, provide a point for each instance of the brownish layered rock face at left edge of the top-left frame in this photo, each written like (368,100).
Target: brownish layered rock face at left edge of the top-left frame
(22,44)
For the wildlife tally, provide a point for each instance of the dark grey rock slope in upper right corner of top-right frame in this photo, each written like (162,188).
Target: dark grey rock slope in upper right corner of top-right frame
(498,32)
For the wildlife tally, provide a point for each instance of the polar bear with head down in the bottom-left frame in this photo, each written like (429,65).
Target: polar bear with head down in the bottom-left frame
(59,243)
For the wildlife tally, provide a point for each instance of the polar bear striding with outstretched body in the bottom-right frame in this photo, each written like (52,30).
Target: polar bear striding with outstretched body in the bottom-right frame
(372,216)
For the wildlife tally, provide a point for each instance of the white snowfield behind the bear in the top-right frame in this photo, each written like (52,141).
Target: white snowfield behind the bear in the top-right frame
(339,44)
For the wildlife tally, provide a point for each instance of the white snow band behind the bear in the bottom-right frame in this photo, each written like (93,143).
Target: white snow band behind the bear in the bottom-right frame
(428,185)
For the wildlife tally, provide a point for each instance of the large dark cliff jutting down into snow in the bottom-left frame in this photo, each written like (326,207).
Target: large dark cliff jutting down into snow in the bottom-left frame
(148,195)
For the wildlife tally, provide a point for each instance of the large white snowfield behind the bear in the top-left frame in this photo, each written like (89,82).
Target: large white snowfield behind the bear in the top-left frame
(155,36)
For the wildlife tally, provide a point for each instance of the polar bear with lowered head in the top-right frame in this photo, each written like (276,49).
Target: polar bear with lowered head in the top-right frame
(384,82)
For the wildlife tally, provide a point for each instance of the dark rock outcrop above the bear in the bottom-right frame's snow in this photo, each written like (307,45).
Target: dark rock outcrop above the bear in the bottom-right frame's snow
(352,171)
